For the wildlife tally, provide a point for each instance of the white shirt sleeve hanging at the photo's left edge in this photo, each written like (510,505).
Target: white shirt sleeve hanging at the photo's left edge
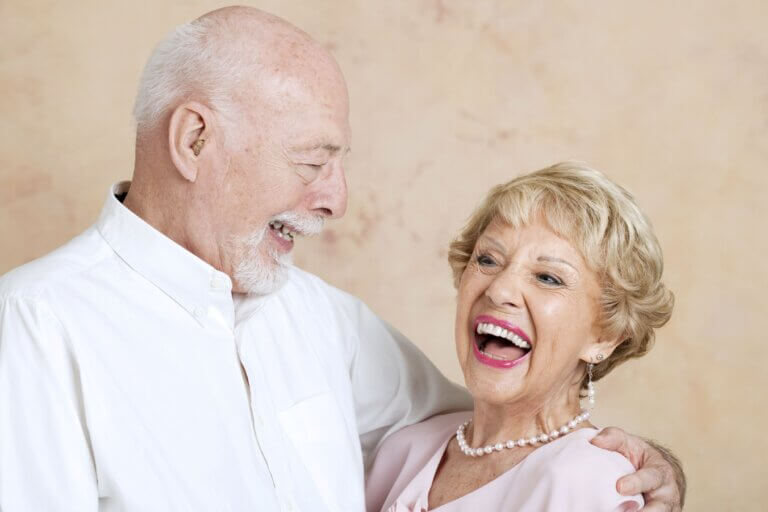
(45,457)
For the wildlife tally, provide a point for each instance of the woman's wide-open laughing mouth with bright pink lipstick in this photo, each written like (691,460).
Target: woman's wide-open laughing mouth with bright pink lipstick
(499,344)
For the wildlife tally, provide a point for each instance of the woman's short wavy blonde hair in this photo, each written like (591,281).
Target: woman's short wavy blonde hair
(600,219)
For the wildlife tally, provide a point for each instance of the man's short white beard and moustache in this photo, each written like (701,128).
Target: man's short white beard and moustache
(261,274)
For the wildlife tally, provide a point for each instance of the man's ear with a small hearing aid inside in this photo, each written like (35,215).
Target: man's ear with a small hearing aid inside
(189,130)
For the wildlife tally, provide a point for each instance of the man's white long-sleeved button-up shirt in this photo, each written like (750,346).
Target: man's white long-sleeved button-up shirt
(131,380)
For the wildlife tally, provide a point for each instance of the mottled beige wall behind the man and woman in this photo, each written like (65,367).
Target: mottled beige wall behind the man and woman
(449,98)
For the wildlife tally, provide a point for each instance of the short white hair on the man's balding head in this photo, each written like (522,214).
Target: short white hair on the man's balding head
(193,60)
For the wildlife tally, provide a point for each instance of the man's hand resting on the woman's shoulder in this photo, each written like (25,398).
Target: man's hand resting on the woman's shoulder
(659,475)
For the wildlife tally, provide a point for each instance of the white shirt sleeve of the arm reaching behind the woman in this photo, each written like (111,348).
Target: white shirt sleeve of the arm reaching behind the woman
(394,384)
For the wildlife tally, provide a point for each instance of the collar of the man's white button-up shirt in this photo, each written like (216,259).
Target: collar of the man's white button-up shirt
(181,275)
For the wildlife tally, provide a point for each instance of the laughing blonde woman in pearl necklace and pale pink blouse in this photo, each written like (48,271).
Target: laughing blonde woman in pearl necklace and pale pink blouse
(559,282)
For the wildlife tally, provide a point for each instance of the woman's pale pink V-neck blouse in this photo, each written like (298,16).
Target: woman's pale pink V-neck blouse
(568,474)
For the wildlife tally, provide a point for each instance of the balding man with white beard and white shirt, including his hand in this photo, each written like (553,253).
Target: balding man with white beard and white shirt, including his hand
(170,358)
